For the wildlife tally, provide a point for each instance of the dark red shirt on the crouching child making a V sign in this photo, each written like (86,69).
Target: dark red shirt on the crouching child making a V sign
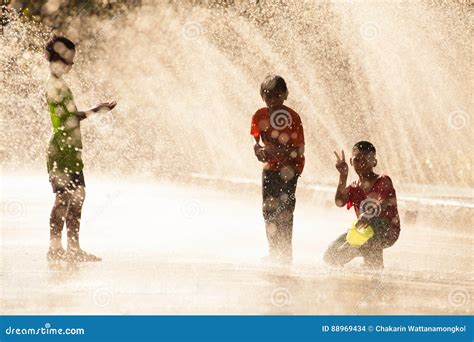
(380,201)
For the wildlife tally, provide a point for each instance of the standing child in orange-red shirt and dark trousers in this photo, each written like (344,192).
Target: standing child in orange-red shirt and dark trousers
(280,130)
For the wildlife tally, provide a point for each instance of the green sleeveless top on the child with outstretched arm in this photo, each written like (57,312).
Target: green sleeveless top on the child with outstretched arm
(65,146)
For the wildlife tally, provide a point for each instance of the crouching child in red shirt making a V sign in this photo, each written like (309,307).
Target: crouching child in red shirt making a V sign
(375,203)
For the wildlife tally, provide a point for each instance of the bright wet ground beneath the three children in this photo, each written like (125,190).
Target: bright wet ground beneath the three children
(190,249)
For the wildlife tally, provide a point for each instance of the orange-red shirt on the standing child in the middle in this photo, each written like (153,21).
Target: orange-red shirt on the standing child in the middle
(281,128)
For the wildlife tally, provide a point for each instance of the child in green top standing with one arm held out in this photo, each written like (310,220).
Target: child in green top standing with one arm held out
(64,154)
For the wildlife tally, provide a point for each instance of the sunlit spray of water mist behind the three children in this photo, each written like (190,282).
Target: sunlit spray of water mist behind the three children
(187,80)
